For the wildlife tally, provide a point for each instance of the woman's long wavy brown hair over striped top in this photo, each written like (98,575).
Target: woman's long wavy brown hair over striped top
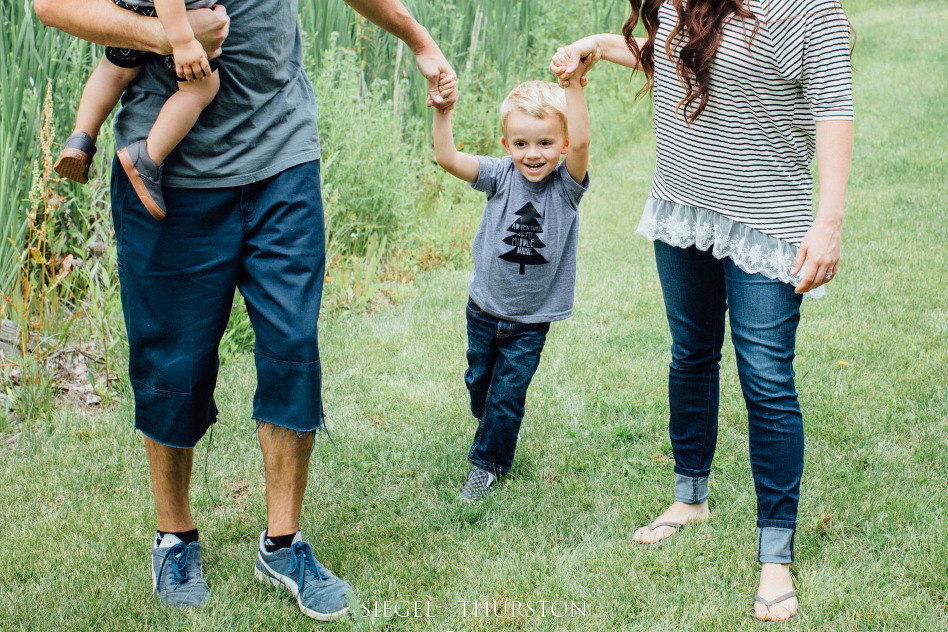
(696,37)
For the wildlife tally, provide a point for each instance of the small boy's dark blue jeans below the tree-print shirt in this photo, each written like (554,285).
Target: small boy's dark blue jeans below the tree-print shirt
(502,357)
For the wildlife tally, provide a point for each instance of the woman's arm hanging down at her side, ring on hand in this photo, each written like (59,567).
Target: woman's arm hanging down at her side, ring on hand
(821,246)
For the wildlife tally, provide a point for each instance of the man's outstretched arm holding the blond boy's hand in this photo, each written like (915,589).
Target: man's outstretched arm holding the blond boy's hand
(392,16)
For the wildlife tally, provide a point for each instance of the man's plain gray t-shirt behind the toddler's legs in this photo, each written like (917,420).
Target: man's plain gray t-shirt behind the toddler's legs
(263,120)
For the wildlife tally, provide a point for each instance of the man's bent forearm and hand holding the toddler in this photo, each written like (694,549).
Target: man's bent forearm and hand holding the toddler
(102,22)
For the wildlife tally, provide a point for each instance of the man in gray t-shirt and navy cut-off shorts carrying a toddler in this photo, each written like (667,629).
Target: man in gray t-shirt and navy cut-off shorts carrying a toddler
(244,211)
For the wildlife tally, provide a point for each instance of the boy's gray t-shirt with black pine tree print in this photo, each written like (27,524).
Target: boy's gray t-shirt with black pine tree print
(525,247)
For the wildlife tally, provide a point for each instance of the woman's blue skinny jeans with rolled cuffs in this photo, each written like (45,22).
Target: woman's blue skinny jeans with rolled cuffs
(698,289)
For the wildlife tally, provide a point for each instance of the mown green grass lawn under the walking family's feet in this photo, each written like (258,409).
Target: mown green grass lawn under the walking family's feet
(594,460)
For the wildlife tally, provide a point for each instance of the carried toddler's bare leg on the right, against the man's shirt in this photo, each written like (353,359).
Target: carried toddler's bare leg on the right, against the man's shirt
(179,114)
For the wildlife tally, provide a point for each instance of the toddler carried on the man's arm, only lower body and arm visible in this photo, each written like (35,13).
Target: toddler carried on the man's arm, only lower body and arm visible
(198,83)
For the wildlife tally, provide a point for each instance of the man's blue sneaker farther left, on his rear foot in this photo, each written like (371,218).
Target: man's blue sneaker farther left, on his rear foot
(177,573)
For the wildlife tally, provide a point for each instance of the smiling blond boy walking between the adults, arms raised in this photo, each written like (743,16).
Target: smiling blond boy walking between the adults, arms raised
(524,257)
